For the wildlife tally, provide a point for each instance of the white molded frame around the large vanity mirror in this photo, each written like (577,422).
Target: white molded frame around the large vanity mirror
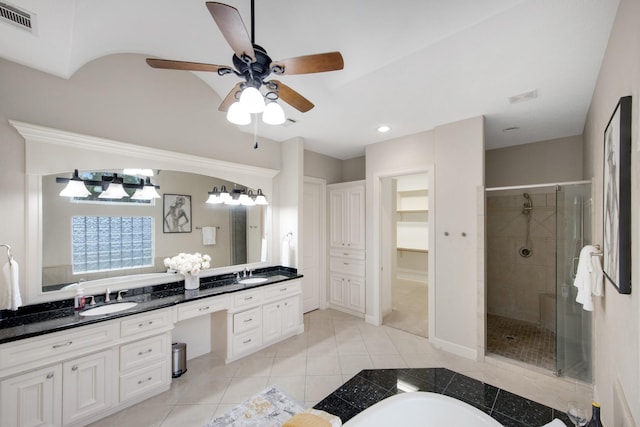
(53,151)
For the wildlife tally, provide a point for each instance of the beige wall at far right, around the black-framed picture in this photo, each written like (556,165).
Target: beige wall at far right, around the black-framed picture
(617,322)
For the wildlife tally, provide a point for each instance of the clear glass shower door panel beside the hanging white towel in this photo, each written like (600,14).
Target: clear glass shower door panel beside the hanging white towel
(573,324)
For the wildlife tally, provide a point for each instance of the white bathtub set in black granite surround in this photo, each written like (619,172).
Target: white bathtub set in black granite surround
(423,409)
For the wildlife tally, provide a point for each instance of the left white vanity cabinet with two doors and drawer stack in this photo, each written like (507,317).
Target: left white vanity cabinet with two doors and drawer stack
(74,377)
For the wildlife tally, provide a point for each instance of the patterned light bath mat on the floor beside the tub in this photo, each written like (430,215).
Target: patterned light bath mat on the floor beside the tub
(269,408)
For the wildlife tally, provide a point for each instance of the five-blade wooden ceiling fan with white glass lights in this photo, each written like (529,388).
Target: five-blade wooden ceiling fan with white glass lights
(252,63)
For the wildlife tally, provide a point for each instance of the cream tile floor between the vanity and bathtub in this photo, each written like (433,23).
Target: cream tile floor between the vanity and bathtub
(310,366)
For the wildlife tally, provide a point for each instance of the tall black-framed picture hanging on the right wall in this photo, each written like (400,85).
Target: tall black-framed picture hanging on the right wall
(617,197)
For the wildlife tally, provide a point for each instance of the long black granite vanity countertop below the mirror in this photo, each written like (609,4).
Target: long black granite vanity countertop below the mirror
(40,319)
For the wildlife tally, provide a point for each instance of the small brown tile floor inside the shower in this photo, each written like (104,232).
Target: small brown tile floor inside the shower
(522,341)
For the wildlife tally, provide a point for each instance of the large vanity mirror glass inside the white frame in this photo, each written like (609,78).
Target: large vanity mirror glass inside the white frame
(89,238)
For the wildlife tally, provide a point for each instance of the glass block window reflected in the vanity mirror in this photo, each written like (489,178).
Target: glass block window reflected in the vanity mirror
(103,243)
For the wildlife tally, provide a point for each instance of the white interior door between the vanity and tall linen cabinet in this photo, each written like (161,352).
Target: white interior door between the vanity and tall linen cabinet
(313,243)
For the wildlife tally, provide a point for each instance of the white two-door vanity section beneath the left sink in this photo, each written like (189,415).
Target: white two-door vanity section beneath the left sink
(75,383)
